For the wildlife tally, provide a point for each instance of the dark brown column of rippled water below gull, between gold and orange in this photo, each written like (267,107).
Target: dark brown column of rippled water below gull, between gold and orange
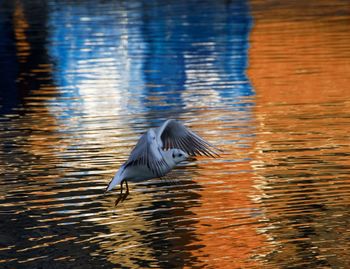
(173,221)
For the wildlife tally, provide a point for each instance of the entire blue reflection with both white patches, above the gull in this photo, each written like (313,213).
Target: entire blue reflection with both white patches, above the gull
(151,56)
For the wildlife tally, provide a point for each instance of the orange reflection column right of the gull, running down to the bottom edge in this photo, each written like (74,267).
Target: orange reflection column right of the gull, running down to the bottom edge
(228,217)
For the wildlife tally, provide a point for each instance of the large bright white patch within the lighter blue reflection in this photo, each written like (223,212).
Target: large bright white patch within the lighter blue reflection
(104,91)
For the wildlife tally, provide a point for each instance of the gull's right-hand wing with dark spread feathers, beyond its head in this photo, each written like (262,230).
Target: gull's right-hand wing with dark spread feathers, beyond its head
(173,134)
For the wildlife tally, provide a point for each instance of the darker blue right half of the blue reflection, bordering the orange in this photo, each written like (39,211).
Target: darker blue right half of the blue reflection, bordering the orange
(210,37)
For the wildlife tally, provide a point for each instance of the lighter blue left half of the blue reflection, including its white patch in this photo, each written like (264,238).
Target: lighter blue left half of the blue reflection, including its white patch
(94,61)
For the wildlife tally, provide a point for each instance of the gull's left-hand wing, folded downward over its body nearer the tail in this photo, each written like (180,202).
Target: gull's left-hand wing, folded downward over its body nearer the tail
(147,152)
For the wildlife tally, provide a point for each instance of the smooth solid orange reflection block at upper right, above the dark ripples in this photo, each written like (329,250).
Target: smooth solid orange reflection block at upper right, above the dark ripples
(299,52)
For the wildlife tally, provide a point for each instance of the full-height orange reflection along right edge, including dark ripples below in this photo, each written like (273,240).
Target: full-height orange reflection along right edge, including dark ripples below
(299,66)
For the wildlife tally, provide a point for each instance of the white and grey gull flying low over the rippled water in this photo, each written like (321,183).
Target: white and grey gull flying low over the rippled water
(157,152)
